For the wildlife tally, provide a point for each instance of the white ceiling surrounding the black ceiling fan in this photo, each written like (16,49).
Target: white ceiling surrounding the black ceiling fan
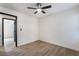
(22,7)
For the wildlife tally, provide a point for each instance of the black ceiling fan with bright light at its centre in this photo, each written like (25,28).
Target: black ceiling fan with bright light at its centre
(40,8)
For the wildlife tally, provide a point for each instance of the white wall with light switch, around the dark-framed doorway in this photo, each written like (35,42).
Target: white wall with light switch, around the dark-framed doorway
(28,24)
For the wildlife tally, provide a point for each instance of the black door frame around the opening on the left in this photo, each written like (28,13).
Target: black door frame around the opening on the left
(3,27)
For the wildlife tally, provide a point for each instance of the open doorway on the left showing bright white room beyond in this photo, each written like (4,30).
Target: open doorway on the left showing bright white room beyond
(8,32)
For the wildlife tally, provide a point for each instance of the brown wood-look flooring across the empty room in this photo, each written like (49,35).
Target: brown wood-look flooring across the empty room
(39,48)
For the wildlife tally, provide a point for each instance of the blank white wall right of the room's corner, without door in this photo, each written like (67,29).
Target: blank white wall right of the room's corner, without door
(61,28)
